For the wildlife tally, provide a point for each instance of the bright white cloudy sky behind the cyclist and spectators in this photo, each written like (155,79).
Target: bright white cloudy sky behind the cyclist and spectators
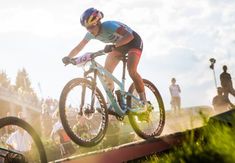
(180,36)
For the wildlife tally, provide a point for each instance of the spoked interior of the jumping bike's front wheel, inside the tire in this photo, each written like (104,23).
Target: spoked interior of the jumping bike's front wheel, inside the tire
(87,126)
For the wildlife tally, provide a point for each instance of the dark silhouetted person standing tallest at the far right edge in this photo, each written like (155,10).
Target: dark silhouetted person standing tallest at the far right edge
(227,85)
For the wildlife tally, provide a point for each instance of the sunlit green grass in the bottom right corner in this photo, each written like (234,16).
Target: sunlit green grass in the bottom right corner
(216,143)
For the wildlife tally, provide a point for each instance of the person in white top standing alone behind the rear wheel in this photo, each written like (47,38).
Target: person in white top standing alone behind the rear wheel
(175,95)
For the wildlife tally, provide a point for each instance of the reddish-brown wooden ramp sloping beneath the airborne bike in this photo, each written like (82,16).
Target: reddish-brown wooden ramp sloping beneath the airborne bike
(129,151)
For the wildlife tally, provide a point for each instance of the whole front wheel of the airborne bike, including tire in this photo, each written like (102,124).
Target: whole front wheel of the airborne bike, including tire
(84,124)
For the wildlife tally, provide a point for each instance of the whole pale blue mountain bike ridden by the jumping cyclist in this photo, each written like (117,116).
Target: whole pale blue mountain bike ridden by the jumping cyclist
(84,112)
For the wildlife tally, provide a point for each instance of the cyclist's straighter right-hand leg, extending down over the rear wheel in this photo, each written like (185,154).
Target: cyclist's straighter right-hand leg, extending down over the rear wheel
(132,63)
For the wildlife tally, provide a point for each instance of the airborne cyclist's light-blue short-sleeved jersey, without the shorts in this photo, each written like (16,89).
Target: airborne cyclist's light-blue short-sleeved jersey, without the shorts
(110,32)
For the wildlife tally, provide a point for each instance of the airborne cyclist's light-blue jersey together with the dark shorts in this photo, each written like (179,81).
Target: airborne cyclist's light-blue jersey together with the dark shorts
(111,31)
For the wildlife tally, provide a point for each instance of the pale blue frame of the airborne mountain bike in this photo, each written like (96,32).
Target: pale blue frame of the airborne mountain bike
(101,72)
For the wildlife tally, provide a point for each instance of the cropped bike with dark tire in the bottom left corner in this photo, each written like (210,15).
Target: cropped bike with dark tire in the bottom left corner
(7,155)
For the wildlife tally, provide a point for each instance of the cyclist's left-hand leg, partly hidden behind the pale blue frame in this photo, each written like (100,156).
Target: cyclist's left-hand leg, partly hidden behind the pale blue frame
(111,62)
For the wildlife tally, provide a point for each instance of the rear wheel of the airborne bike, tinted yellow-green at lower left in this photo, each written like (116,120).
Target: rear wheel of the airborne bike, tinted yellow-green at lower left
(151,122)
